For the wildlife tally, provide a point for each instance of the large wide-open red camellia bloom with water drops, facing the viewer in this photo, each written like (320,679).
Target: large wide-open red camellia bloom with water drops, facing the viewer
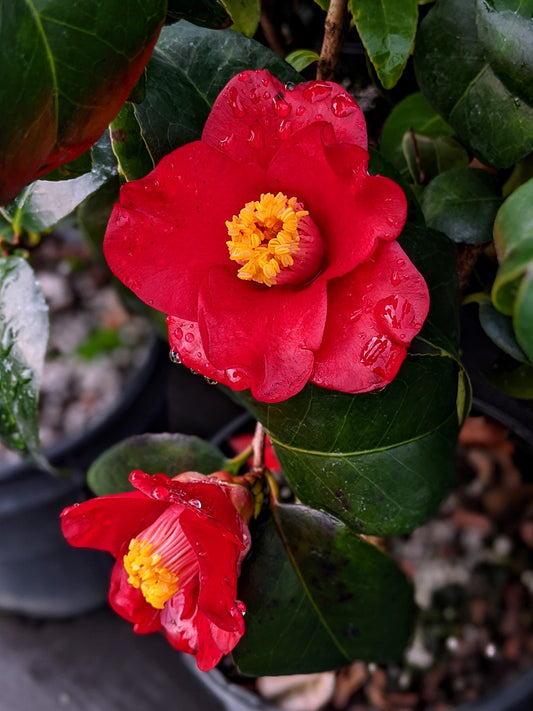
(271,248)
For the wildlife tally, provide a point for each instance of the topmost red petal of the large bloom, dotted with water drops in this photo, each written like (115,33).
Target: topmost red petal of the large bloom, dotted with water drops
(255,113)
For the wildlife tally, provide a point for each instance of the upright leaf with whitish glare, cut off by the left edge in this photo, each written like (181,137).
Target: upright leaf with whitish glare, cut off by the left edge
(23,339)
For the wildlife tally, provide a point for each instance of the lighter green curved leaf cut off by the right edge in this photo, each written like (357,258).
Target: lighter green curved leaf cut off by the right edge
(513,239)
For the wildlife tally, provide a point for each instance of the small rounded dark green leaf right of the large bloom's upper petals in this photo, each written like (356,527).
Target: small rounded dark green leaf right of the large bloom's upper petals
(462,203)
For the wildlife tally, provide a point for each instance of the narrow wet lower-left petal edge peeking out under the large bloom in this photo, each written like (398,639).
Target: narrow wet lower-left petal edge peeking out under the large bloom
(185,340)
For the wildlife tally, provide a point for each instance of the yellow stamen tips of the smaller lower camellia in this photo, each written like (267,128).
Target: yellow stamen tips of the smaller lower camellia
(156,583)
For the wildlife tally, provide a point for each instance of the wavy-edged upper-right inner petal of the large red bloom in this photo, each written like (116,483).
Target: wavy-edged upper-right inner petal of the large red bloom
(351,208)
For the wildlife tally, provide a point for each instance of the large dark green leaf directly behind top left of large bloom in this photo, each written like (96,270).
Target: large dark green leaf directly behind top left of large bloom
(189,67)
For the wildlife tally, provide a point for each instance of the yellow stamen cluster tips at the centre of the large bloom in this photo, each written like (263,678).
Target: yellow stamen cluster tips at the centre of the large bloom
(264,237)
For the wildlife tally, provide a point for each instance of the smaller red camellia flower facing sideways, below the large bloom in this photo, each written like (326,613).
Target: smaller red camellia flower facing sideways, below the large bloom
(179,544)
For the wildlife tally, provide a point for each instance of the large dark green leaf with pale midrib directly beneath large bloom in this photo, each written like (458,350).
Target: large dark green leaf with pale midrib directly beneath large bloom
(381,461)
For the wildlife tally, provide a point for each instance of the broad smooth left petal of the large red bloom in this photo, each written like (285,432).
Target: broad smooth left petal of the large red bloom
(169,228)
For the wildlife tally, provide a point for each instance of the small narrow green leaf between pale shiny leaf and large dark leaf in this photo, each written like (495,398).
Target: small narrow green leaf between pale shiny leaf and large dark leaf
(133,157)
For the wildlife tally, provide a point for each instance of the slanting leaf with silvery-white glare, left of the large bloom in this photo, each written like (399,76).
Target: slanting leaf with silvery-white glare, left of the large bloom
(43,203)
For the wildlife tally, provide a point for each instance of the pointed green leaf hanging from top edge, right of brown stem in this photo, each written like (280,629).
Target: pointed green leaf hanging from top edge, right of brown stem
(387,29)
